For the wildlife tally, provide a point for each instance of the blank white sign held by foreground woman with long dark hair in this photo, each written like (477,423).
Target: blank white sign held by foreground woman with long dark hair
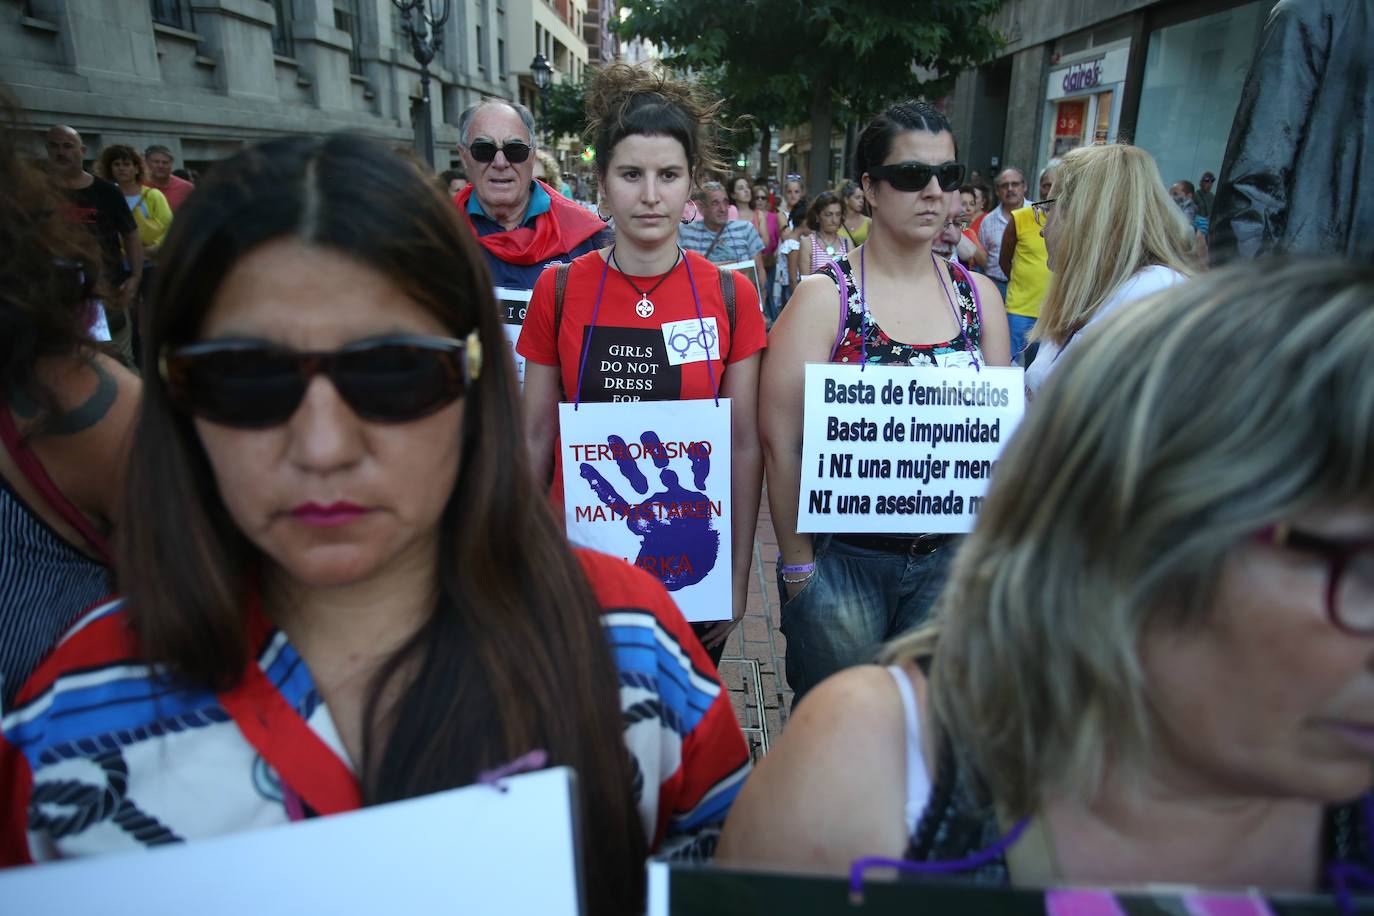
(473,851)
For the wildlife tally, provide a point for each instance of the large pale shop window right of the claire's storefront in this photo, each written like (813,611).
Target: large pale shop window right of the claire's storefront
(1193,79)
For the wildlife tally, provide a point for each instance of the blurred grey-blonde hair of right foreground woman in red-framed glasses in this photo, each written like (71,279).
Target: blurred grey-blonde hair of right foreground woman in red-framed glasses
(1193,421)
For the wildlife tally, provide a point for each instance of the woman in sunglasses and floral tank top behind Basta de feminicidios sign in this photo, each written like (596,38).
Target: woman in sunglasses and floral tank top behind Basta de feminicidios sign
(895,303)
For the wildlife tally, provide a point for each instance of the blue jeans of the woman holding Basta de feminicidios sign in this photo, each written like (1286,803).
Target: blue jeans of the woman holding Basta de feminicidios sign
(857,601)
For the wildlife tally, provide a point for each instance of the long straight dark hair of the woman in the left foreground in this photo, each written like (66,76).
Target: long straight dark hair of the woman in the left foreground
(513,656)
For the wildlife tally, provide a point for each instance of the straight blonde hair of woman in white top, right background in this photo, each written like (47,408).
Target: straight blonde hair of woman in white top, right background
(1114,219)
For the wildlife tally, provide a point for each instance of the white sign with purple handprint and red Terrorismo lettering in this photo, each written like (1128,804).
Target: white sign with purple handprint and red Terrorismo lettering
(649,483)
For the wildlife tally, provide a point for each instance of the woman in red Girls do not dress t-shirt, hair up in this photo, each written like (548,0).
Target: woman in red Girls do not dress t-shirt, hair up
(620,304)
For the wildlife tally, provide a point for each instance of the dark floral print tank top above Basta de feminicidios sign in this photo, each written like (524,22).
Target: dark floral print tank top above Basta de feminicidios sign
(862,337)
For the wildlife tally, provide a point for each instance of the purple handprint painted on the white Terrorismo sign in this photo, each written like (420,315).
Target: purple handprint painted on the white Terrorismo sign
(679,542)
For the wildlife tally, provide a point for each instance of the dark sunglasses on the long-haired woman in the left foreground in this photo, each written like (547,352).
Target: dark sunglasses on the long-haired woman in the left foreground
(254,385)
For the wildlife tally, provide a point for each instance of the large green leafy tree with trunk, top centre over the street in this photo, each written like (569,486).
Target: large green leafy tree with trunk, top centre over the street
(803,60)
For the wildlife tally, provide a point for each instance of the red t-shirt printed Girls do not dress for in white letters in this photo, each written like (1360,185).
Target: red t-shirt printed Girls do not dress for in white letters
(634,359)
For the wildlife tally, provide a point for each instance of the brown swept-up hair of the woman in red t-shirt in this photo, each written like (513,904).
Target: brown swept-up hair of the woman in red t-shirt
(626,101)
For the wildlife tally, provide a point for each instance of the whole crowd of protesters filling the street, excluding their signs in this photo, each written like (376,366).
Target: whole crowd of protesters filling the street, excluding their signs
(322,536)
